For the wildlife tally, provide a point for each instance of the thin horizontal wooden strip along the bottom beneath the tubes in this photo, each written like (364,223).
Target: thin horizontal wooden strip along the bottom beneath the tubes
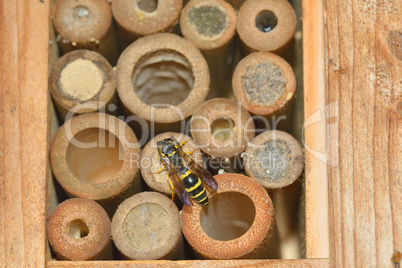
(313,263)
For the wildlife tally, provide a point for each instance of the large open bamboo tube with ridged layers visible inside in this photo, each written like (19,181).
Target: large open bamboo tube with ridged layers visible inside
(162,79)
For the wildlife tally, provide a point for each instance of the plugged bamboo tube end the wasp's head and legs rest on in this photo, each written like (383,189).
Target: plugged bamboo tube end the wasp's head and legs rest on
(150,162)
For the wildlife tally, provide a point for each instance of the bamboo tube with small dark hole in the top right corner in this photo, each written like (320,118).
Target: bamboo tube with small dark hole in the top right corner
(266,25)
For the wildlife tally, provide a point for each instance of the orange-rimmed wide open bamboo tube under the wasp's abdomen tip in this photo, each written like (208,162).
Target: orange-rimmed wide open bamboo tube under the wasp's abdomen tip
(237,223)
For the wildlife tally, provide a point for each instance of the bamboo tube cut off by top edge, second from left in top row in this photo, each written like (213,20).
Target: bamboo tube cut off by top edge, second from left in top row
(143,17)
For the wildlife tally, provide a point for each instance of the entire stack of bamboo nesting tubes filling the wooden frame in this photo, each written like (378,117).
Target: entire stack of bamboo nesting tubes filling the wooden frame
(173,130)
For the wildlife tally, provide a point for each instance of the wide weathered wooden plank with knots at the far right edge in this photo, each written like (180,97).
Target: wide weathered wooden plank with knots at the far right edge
(364,82)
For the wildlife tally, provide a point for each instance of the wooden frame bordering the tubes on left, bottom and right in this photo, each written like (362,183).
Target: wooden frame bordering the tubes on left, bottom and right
(24,141)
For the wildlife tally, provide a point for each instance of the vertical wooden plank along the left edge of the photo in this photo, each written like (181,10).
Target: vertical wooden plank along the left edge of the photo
(23,134)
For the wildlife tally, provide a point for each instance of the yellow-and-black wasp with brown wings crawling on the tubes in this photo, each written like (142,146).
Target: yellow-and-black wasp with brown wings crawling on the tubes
(186,177)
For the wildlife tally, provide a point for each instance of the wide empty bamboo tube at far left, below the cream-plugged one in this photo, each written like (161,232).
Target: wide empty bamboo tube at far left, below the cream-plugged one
(96,156)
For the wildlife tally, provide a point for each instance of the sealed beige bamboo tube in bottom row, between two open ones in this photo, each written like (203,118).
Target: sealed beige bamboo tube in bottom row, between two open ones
(146,226)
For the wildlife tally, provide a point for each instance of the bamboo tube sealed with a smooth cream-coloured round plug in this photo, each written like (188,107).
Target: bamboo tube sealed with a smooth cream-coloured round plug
(82,81)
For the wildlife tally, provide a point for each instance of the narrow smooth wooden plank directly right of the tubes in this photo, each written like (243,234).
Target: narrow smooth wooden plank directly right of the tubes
(317,245)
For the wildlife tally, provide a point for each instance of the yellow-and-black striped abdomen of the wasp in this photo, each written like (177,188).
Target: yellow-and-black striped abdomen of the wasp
(194,187)
